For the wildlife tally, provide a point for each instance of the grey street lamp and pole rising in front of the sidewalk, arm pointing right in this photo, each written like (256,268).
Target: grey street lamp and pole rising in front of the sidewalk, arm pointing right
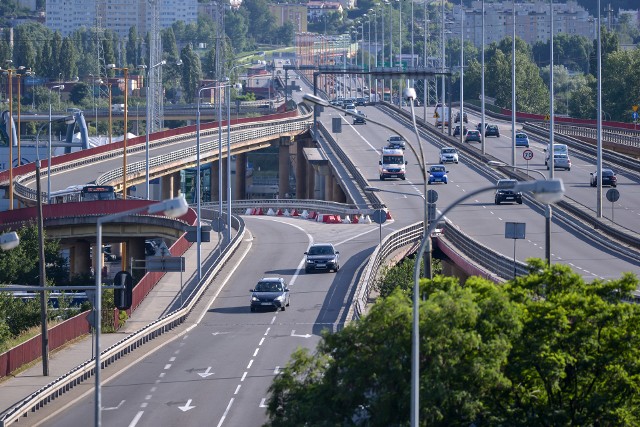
(173,208)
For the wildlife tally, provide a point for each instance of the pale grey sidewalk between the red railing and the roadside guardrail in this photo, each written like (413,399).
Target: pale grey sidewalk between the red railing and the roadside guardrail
(164,298)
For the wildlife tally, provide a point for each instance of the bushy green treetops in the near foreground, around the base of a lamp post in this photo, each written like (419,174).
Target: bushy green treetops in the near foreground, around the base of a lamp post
(545,349)
